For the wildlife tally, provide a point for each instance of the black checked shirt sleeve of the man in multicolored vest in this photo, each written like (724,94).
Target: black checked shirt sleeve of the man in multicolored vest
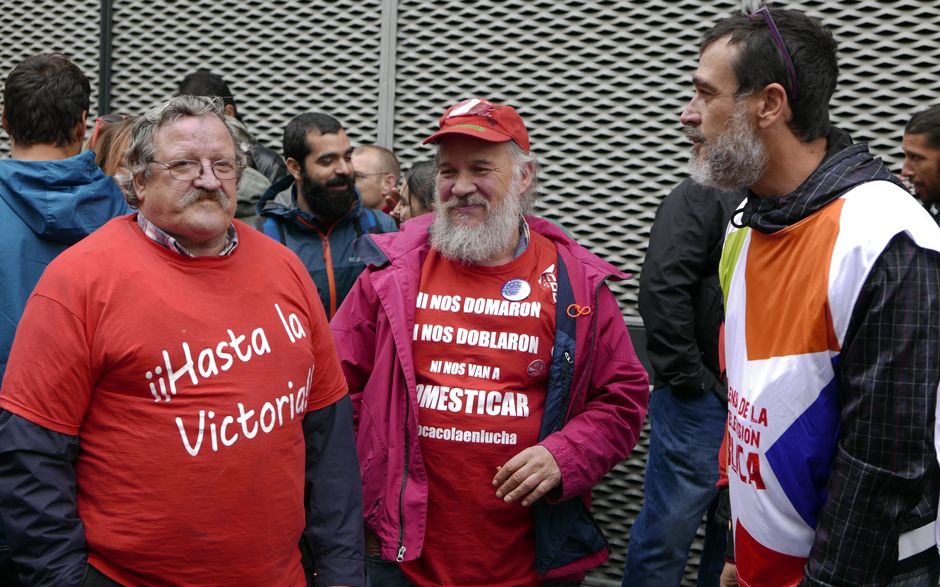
(885,471)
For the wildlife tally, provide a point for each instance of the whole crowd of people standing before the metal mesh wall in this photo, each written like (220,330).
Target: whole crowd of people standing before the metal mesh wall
(222,364)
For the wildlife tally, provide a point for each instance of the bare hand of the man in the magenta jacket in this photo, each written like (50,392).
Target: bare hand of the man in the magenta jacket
(527,476)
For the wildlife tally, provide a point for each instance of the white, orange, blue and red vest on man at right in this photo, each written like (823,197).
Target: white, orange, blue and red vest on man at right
(789,297)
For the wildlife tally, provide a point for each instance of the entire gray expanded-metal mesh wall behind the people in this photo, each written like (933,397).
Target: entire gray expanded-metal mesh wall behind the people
(600,85)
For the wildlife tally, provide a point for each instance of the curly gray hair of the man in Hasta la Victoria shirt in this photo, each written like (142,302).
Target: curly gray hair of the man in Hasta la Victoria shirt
(142,148)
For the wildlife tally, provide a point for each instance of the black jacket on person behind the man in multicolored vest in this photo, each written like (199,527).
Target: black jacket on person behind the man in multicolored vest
(680,297)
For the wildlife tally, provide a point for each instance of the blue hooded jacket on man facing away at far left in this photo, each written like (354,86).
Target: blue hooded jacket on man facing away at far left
(45,207)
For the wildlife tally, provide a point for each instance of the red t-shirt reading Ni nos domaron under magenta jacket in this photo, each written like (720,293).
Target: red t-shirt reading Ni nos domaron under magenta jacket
(482,346)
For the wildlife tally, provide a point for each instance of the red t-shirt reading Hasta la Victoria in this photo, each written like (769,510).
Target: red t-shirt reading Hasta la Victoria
(186,381)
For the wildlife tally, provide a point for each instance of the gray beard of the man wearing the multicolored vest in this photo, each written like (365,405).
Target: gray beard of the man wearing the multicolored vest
(733,160)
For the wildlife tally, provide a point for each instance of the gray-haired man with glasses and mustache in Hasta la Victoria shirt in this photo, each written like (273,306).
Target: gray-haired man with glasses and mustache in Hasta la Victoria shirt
(175,413)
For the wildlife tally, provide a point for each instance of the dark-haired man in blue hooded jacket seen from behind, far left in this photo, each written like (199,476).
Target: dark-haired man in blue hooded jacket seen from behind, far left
(51,194)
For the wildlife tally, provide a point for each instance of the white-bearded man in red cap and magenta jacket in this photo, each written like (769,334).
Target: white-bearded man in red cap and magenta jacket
(492,374)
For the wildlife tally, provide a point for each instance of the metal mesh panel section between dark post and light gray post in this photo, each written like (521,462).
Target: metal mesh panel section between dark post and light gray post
(279,59)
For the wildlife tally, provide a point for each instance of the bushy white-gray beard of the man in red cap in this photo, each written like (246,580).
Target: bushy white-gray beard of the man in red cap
(473,245)
